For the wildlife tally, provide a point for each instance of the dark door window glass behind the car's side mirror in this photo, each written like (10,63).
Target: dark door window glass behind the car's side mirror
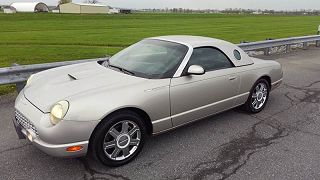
(210,59)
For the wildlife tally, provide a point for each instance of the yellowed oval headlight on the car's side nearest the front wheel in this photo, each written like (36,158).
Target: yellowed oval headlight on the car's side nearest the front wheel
(58,111)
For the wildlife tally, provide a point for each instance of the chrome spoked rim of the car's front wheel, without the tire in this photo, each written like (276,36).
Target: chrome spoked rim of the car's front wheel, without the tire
(121,140)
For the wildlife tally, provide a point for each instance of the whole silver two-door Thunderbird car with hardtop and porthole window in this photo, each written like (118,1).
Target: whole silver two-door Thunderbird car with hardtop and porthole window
(107,108)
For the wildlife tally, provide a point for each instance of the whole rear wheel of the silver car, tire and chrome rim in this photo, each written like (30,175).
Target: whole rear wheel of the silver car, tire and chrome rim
(258,97)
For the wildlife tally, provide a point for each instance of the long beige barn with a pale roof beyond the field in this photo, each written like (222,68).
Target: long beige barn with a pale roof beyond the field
(84,8)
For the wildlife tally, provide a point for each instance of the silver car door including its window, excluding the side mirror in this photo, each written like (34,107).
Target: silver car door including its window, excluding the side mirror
(197,96)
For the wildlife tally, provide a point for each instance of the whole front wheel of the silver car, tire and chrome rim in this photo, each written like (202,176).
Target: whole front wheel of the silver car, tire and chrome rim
(118,139)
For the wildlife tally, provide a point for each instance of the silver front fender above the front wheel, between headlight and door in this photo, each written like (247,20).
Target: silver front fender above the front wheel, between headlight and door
(151,96)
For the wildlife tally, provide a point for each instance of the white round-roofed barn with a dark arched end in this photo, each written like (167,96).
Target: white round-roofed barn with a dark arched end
(30,7)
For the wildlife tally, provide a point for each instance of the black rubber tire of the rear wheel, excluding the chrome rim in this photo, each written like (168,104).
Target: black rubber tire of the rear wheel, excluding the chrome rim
(248,106)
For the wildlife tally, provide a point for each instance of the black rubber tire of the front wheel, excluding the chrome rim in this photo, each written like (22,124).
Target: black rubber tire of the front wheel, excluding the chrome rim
(96,148)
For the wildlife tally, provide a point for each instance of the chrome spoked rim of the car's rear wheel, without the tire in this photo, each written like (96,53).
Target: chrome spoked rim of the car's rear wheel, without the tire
(259,96)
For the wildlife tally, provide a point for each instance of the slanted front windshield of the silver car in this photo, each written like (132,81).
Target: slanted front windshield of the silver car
(153,59)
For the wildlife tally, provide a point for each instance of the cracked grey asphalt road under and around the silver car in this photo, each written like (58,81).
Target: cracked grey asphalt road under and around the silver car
(282,142)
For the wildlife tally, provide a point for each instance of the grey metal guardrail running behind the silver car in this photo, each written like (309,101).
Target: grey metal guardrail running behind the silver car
(18,74)
